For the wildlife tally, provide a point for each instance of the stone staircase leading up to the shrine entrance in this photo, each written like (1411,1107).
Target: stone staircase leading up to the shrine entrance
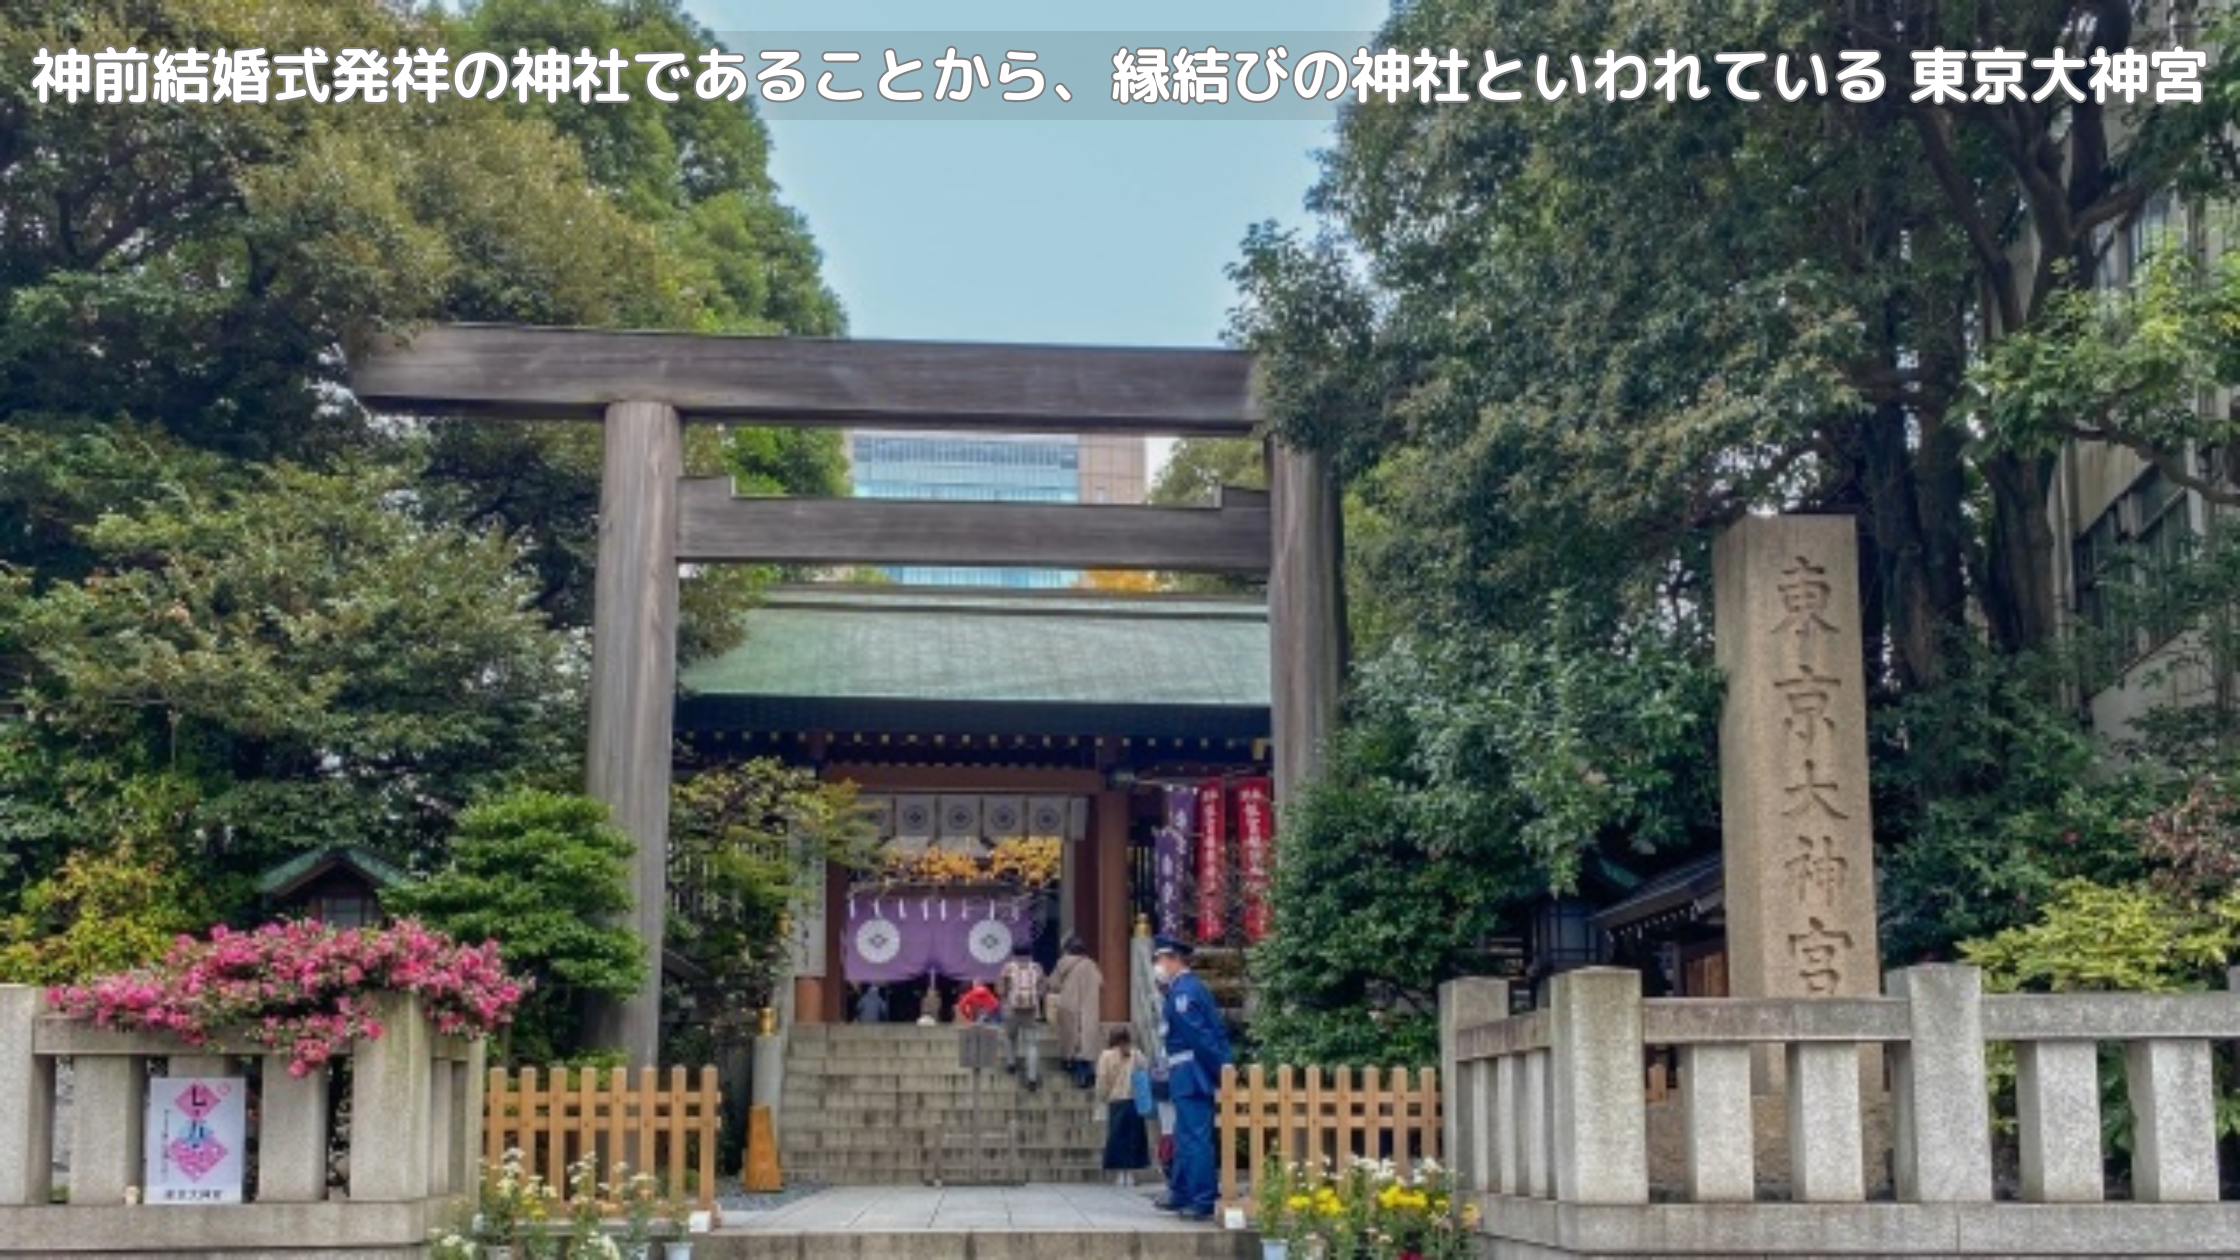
(888,1106)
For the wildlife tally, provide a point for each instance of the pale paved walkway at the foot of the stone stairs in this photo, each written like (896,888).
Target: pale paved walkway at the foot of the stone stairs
(967,1210)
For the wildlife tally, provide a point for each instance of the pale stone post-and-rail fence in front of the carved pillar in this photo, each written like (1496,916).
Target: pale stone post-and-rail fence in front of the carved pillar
(1553,1138)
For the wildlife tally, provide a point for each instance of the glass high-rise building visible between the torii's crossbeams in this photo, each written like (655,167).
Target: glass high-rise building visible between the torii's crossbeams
(973,467)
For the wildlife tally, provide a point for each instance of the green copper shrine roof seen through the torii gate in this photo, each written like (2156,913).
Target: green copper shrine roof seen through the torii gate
(996,647)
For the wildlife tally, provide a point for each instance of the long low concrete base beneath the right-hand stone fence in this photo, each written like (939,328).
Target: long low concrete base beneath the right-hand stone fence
(1733,1232)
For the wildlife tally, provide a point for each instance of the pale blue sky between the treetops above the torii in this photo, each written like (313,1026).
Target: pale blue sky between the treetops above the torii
(1038,230)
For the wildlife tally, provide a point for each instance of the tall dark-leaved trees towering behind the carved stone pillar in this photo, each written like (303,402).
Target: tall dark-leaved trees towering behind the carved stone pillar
(1556,346)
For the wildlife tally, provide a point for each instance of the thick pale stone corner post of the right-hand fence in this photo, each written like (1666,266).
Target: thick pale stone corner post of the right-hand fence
(1596,1077)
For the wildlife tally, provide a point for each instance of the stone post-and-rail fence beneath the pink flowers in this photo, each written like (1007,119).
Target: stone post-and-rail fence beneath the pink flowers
(413,1147)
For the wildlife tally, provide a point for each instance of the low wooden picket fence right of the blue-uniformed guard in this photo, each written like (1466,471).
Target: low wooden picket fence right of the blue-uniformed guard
(1307,1115)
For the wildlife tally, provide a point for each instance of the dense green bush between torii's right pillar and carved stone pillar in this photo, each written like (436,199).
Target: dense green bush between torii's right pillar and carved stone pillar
(1468,781)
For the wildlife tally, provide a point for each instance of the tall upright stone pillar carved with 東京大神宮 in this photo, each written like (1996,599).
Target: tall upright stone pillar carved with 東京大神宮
(1800,844)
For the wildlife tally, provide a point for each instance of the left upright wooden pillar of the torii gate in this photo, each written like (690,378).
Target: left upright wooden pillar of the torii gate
(635,685)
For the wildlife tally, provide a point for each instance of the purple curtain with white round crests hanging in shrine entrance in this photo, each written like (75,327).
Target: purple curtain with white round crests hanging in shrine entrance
(958,936)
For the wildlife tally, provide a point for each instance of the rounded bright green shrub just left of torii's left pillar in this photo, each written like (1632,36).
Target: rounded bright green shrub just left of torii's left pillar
(543,875)
